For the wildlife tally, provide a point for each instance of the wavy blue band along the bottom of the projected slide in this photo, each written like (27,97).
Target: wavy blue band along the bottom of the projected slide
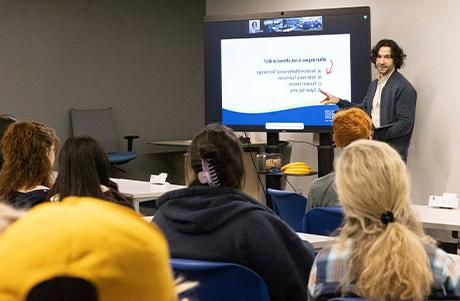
(320,115)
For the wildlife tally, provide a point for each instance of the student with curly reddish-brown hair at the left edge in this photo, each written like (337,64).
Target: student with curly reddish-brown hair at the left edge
(29,150)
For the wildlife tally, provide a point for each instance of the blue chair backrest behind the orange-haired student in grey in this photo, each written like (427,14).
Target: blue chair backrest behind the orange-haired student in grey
(323,220)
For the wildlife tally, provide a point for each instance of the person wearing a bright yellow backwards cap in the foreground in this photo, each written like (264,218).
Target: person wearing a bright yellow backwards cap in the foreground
(83,249)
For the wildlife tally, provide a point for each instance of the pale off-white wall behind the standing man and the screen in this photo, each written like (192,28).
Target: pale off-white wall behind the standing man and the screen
(428,33)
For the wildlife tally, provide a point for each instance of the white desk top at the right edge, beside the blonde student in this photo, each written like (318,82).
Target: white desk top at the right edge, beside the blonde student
(438,218)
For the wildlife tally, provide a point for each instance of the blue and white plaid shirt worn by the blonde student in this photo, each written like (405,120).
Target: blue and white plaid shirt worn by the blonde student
(330,268)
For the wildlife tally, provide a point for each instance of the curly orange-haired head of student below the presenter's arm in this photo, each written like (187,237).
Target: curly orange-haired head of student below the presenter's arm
(350,125)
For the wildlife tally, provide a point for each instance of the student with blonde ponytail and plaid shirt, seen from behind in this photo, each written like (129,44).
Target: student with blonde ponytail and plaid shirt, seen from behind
(382,252)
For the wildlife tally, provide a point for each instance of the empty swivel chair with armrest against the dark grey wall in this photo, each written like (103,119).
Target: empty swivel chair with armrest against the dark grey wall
(100,124)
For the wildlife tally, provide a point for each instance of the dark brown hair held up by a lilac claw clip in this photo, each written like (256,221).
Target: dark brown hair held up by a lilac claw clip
(218,144)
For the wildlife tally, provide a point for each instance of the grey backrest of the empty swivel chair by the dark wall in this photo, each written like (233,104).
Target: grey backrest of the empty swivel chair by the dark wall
(97,123)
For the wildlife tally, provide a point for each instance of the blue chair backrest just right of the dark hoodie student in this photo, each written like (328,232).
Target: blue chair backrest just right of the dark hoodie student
(289,206)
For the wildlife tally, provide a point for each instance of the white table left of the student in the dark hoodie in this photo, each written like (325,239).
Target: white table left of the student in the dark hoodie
(142,191)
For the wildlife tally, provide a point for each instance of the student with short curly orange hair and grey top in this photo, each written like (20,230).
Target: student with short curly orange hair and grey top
(348,125)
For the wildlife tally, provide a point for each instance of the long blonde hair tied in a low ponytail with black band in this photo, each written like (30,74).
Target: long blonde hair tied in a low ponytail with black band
(388,261)
